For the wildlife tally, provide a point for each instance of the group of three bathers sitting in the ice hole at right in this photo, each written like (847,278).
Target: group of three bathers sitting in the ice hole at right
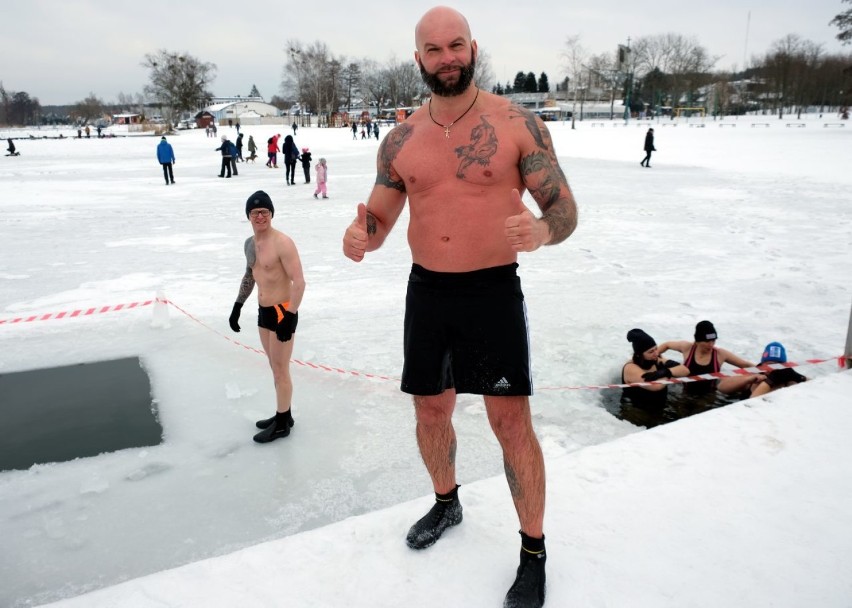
(700,356)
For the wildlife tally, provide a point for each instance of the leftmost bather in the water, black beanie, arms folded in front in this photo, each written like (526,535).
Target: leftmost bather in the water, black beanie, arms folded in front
(646,365)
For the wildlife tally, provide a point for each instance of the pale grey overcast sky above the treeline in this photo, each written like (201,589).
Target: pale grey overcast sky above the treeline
(59,52)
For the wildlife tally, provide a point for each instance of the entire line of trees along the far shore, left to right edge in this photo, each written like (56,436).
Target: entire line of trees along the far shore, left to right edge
(658,71)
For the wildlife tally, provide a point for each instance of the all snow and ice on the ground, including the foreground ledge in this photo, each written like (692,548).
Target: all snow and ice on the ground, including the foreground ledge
(749,227)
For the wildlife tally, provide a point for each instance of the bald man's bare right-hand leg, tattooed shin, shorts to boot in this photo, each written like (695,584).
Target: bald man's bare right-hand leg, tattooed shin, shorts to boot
(522,459)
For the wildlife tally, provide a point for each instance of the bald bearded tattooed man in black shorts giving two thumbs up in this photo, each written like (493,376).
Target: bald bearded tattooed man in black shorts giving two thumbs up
(462,162)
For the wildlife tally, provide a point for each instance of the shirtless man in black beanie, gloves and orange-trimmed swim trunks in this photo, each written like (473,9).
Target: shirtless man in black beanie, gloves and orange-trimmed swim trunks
(272,261)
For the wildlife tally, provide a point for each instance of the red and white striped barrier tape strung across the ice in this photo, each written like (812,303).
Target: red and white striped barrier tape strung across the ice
(698,378)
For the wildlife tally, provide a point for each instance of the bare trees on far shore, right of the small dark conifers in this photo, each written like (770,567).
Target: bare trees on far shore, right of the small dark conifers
(671,70)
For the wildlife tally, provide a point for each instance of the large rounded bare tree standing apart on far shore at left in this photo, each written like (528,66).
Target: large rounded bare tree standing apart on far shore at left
(179,82)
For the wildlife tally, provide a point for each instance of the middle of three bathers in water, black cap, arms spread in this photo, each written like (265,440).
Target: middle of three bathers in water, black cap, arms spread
(702,356)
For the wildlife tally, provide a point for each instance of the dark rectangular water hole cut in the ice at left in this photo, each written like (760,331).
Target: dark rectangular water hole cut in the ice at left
(62,413)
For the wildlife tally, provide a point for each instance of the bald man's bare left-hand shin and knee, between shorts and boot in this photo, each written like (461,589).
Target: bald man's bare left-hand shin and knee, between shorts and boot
(436,438)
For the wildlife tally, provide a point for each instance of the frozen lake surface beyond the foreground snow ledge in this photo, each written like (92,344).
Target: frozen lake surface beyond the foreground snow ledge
(741,226)
